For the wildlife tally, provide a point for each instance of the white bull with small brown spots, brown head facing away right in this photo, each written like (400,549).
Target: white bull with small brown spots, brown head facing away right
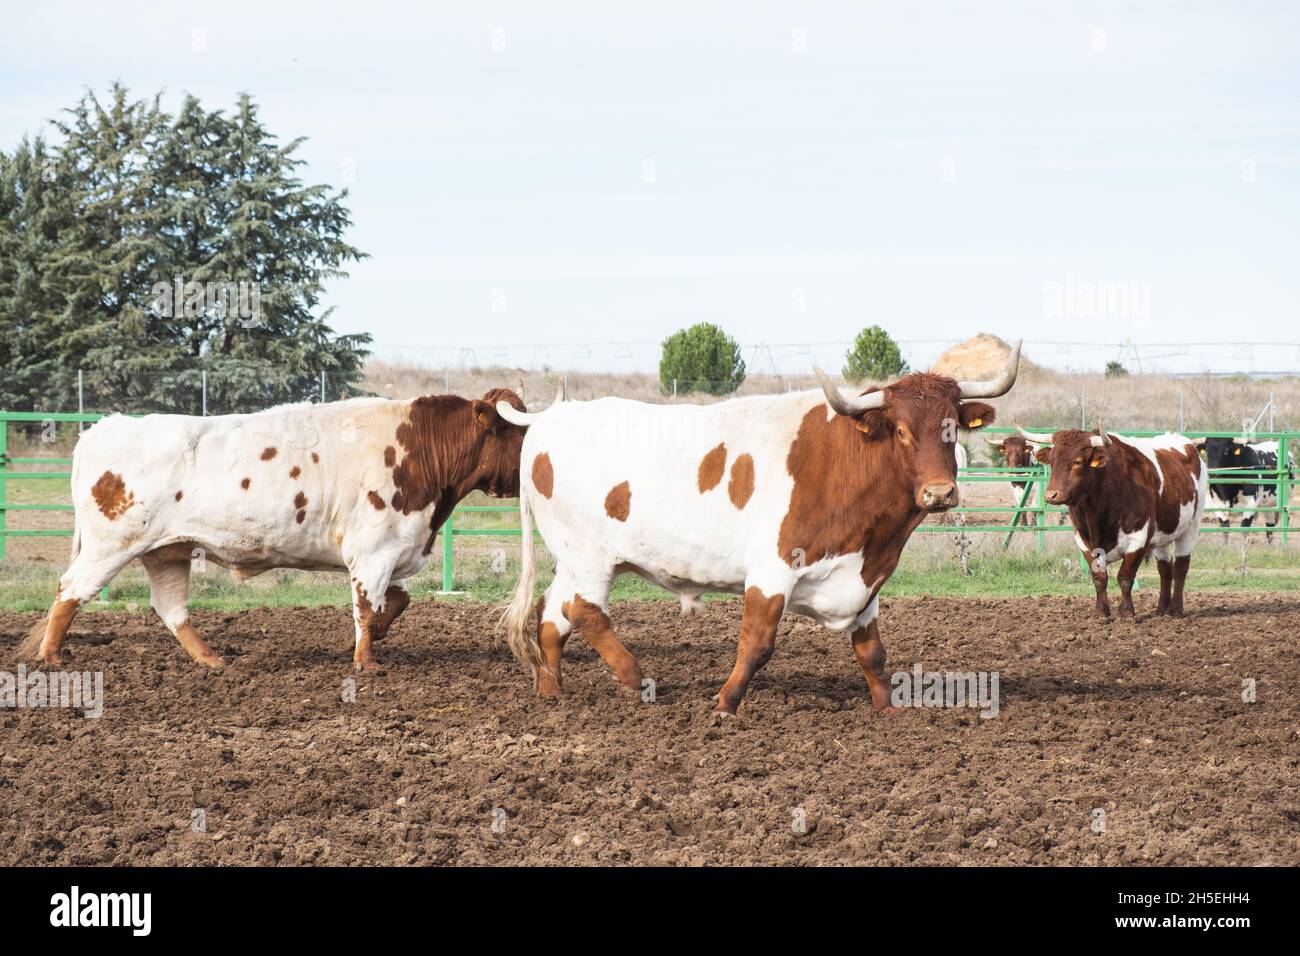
(361,487)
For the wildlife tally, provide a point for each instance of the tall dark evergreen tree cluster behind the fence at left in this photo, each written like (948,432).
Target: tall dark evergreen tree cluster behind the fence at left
(153,249)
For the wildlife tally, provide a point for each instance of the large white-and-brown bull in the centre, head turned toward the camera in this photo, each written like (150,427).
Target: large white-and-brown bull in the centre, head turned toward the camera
(801,503)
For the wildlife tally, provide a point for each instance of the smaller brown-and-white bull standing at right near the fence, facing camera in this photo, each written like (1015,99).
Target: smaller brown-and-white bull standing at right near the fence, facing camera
(1129,499)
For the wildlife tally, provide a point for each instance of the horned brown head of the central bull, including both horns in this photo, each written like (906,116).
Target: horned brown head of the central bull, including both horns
(922,417)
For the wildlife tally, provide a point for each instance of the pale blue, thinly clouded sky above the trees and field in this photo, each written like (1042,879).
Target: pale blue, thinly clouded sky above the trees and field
(937,168)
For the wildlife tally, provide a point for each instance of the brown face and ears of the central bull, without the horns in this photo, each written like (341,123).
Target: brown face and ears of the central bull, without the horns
(922,418)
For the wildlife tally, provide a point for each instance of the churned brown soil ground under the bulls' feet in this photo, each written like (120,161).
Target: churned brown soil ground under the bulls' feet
(1142,720)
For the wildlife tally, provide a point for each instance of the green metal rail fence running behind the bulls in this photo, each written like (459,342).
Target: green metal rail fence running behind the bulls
(1039,518)
